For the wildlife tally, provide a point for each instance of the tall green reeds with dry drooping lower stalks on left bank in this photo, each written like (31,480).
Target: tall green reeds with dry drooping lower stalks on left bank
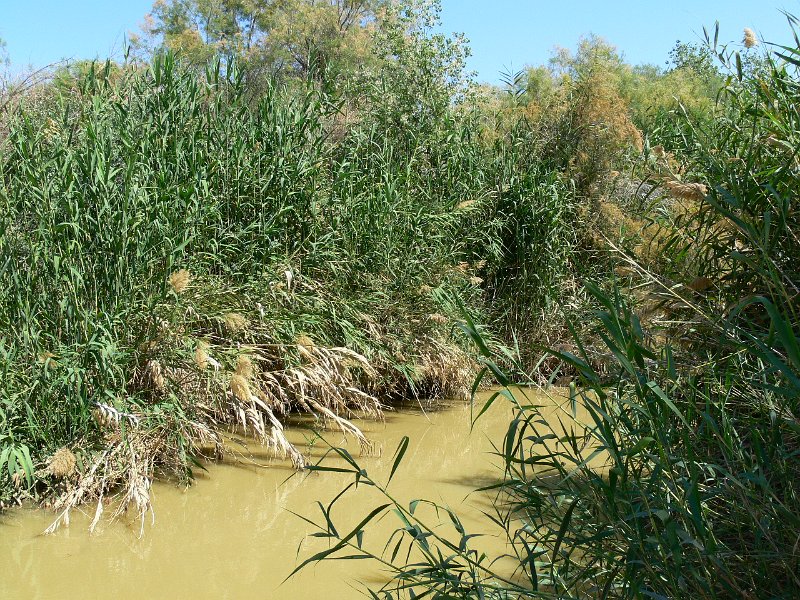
(179,257)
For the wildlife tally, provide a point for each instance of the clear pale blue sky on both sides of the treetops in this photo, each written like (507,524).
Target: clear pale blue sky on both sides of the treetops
(504,34)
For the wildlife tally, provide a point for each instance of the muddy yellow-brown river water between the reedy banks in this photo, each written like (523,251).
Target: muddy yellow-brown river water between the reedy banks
(233,535)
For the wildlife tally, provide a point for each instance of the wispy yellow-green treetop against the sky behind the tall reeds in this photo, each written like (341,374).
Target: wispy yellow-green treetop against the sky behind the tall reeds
(279,37)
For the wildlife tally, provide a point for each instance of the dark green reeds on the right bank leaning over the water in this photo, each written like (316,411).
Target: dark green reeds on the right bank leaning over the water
(694,415)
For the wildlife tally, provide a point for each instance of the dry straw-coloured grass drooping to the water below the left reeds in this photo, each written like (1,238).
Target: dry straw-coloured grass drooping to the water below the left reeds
(254,383)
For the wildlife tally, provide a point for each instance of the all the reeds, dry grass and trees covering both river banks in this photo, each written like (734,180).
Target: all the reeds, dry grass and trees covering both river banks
(247,218)
